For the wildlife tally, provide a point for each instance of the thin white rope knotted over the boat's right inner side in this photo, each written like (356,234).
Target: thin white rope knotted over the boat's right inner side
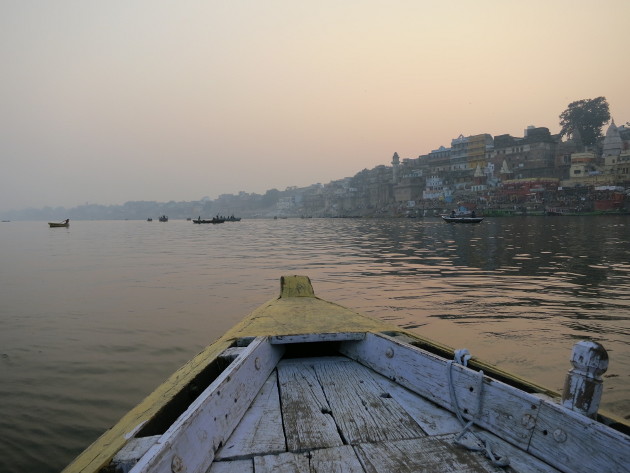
(462,357)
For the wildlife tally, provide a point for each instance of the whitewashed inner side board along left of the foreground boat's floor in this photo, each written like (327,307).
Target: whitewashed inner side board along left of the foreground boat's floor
(191,442)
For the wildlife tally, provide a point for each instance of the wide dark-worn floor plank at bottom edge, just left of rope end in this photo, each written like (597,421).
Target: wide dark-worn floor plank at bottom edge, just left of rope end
(428,454)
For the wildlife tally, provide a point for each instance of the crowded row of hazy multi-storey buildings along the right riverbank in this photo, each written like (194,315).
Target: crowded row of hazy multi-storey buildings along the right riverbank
(535,173)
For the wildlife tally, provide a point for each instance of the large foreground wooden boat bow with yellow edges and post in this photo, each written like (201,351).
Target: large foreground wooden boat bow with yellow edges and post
(306,385)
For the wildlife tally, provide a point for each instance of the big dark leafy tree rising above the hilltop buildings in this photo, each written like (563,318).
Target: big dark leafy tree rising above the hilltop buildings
(585,117)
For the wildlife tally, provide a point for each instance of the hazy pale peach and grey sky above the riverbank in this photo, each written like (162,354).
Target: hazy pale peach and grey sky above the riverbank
(110,101)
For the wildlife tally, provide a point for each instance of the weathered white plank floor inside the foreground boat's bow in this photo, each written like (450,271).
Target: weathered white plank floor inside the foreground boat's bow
(337,415)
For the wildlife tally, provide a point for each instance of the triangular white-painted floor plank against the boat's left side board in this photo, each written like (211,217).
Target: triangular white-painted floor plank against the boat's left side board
(260,431)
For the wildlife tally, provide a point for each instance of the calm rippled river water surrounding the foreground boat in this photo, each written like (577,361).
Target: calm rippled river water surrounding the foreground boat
(94,317)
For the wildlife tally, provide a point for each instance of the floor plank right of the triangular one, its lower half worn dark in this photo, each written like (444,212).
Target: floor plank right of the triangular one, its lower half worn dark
(305,411)
